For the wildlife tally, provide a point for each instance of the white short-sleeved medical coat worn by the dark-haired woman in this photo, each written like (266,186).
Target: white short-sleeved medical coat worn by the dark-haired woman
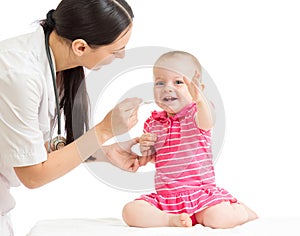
(27,104)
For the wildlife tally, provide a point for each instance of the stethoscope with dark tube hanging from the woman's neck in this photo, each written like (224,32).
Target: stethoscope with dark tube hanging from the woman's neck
(59,141)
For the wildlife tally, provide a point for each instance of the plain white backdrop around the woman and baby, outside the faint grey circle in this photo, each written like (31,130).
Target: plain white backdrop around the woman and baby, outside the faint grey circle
(251,50)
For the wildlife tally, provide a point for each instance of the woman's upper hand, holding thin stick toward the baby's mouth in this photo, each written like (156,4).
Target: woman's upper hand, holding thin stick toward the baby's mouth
(121,118)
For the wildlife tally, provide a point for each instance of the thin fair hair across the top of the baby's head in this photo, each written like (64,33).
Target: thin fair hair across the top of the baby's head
(181,55)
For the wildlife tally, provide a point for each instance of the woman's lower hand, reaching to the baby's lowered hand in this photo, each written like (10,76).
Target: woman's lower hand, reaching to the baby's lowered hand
(121,155)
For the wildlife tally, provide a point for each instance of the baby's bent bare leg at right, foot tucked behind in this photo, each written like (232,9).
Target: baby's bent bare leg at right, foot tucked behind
(225,215)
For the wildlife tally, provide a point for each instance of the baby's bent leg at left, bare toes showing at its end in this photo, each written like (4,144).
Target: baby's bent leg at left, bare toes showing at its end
(140,213)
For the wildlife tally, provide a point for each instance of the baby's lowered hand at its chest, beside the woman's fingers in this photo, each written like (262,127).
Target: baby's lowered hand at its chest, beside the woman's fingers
(147,141)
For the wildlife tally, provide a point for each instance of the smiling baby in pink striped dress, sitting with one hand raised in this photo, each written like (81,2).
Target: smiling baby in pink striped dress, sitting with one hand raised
(178,141)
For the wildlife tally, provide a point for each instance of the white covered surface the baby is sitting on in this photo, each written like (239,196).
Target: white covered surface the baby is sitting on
(114,226)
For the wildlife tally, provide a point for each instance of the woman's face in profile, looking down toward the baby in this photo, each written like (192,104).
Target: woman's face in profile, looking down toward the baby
(104,55)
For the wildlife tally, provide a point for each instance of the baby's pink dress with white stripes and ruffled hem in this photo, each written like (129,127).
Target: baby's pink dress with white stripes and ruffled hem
(184,178)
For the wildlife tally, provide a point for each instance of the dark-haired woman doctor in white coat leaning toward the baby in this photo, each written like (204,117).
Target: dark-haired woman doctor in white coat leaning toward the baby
(43,70)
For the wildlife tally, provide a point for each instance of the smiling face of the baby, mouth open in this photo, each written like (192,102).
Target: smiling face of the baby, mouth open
(170,91)
